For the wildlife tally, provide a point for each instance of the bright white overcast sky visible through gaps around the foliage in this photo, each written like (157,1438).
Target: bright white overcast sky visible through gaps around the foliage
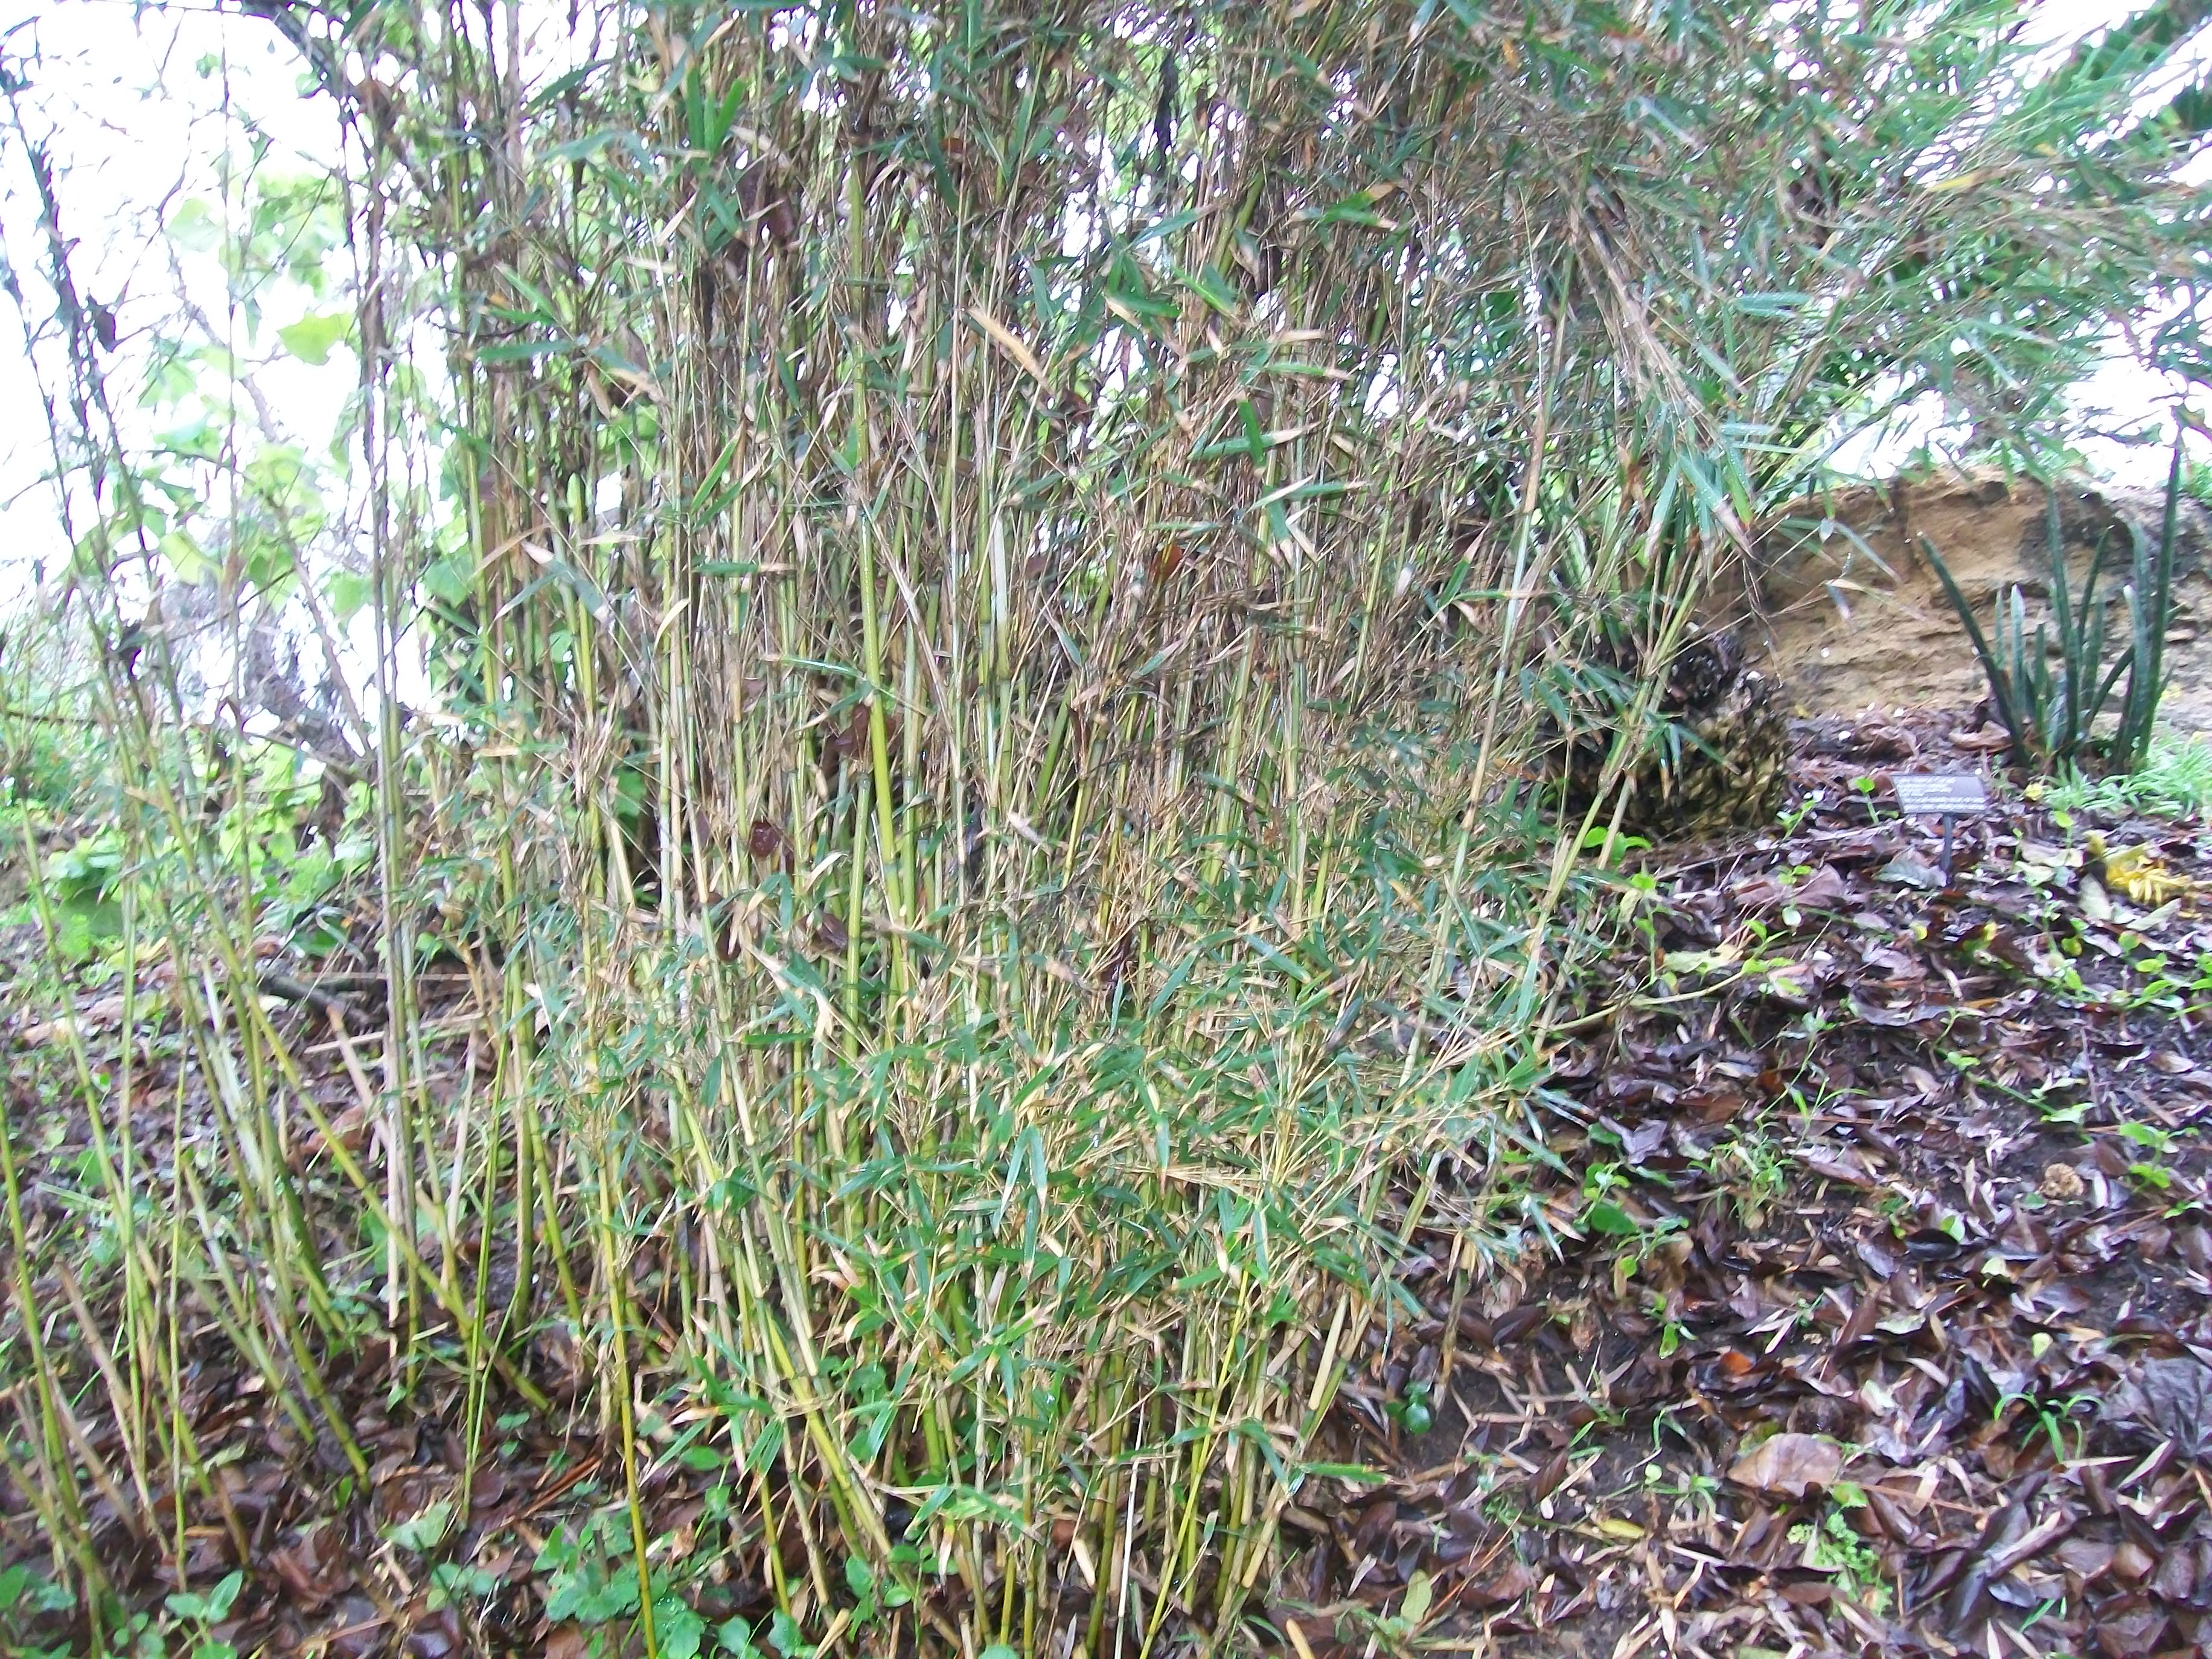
(140,132)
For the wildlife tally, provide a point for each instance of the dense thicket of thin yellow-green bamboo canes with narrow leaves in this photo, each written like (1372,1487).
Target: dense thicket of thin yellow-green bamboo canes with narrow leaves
(990,574)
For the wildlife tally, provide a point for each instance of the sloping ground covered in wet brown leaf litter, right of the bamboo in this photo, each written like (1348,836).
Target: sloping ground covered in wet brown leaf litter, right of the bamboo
(1877,1317)
